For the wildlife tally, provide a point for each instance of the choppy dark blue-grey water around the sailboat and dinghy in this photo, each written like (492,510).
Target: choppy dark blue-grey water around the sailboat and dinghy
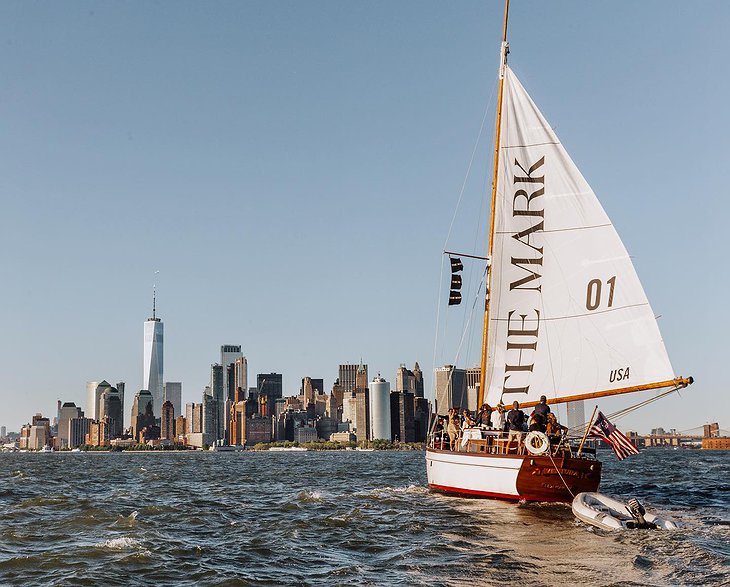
(340,518)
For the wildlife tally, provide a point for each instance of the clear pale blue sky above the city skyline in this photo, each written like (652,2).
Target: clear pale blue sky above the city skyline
(291,168)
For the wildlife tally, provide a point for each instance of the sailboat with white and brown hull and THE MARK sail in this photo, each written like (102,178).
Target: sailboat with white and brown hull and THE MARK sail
(565,315)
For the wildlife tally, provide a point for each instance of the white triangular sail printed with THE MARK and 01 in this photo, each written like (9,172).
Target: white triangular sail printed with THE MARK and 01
(568,315)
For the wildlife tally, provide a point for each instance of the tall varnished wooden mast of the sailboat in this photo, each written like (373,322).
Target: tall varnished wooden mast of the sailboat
(497,132)
